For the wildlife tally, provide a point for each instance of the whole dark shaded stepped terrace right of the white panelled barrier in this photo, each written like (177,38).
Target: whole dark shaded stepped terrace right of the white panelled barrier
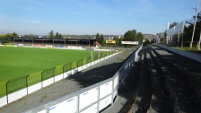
(165,85)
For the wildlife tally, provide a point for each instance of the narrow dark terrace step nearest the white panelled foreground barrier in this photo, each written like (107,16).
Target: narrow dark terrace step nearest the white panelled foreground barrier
(144,92)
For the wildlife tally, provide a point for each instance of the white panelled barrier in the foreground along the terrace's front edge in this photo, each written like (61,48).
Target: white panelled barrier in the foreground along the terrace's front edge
(94,98)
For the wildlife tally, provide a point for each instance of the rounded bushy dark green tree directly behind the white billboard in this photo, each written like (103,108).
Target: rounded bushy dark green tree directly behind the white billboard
(130,35)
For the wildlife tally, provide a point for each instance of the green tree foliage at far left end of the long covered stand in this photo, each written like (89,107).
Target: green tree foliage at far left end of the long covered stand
(7,38)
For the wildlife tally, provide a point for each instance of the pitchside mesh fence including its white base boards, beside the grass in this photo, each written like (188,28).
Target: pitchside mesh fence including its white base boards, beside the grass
(15,89)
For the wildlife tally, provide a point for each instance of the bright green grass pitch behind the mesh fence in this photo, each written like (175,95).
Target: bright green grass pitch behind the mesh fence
(16,62)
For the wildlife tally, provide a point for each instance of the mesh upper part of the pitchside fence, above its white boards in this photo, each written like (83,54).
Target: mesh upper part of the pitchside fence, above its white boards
(17,84)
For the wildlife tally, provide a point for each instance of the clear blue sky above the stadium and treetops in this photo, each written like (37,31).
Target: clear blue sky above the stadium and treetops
(81,17)
